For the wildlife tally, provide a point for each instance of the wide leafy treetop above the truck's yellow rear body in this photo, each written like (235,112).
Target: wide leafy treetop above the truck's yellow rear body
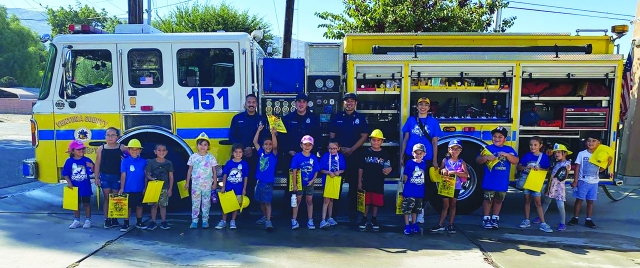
(379,16)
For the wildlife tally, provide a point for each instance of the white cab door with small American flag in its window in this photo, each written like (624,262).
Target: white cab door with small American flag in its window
(147,80)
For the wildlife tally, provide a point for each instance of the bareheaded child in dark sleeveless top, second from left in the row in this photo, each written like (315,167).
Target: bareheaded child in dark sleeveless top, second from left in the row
(107,171)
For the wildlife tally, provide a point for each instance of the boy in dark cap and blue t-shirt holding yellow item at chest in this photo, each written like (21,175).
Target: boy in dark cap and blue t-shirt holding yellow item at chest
(496,180)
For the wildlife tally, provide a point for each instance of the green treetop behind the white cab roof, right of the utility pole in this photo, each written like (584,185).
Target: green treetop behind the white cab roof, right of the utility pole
(210,18)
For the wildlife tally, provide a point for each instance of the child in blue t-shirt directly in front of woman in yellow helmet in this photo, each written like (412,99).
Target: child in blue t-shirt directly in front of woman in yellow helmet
(413,192)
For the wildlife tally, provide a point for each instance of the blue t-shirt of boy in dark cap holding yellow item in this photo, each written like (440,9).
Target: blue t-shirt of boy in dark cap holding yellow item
(497,179)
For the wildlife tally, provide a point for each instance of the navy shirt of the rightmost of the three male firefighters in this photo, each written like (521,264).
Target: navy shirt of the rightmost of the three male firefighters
(348,127)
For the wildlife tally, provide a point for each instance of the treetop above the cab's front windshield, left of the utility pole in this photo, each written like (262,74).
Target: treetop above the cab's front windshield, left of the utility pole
(61,18)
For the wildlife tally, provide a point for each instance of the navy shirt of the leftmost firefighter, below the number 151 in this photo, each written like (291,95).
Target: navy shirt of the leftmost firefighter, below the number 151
(244,126)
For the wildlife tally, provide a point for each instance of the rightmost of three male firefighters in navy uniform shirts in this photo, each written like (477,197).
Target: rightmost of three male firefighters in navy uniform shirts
(351,130)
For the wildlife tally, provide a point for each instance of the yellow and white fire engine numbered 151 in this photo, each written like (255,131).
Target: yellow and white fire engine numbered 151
(165,87)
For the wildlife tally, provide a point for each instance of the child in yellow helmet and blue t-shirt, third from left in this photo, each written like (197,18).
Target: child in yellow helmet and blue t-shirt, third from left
(132,181)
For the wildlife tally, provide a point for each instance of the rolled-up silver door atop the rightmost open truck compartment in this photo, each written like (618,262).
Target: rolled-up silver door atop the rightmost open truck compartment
(566,71)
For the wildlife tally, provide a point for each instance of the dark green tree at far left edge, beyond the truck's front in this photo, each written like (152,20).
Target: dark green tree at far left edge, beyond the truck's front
(22,56)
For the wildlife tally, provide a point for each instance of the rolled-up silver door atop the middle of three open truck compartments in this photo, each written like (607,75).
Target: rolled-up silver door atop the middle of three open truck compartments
(461,71)
